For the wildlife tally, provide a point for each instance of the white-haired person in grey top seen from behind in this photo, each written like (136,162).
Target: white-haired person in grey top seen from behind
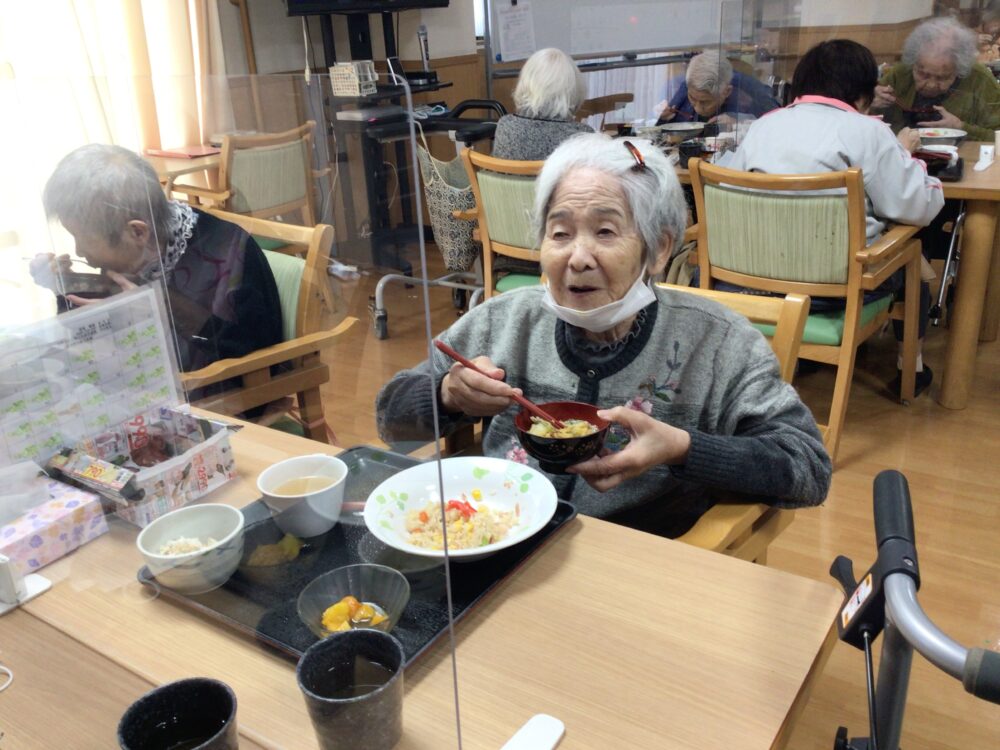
(550,90)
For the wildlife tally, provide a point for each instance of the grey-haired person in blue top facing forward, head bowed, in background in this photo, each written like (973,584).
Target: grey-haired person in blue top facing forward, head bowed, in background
(711,91)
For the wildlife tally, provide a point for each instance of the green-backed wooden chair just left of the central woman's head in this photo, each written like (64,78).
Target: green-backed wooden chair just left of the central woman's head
(504,190)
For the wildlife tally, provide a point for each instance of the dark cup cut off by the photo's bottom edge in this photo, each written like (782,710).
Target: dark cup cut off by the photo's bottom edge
(194,714)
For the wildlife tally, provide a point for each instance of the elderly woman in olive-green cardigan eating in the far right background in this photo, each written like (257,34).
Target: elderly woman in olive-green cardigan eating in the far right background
(940,84)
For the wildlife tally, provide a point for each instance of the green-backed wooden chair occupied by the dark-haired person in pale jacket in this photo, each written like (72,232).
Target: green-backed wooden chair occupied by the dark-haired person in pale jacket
(778,234)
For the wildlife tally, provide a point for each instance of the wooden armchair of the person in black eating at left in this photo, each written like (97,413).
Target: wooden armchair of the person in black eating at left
(303,286)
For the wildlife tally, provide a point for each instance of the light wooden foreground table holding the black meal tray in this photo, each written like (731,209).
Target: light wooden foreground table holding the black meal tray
(630,639)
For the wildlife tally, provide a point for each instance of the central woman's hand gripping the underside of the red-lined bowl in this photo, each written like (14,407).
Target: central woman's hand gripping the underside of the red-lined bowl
(652,443)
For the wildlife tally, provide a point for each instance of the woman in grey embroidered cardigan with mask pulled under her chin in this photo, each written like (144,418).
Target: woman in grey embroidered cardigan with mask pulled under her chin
(694,390)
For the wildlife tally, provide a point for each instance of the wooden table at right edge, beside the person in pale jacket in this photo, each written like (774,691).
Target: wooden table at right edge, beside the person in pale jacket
(975,315)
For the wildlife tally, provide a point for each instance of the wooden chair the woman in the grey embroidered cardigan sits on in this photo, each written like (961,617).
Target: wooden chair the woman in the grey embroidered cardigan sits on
(745,530)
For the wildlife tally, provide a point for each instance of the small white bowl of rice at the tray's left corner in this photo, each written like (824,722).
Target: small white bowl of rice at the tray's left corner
(194,549)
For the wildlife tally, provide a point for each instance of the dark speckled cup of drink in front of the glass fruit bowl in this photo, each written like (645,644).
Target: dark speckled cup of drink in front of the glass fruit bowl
(353,686)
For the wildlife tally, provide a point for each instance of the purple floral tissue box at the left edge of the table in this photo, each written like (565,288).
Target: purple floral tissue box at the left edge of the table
(70,518)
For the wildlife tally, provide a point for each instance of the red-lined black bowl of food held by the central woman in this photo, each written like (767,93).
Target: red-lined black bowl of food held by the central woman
(582,436)
